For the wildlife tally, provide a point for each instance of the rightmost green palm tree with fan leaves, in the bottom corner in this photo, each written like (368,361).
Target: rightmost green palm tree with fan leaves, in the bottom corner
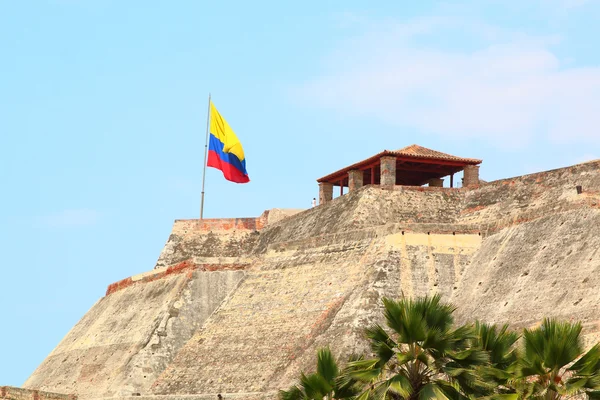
(546,367)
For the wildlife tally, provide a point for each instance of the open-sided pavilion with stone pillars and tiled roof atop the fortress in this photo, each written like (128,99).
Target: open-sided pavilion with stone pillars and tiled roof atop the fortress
(410,166)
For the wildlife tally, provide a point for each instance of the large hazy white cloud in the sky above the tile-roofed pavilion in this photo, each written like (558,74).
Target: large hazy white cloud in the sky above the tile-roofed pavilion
(509,88)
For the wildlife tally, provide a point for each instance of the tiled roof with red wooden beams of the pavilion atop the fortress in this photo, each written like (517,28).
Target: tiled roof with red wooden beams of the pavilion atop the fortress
(418,163)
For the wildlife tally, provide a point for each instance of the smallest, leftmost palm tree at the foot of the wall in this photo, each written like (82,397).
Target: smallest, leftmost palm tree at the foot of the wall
(325,383)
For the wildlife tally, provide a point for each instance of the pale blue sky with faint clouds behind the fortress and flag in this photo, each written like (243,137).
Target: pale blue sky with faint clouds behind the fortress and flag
(103,111)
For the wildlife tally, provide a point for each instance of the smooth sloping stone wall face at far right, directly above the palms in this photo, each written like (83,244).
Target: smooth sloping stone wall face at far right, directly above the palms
(548,267)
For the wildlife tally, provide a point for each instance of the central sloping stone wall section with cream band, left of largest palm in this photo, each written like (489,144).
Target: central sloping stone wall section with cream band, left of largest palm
(299,298)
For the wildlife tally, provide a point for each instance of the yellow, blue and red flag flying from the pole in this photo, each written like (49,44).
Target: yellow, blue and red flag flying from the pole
(225,151)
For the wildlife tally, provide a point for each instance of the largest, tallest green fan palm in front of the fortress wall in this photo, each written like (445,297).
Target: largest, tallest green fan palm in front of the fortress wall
(424,357)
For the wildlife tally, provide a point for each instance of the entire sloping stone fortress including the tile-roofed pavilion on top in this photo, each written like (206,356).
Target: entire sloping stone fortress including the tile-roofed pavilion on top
(238,307)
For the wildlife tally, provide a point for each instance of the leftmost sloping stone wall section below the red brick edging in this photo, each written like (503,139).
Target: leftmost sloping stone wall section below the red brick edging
(125,341)
